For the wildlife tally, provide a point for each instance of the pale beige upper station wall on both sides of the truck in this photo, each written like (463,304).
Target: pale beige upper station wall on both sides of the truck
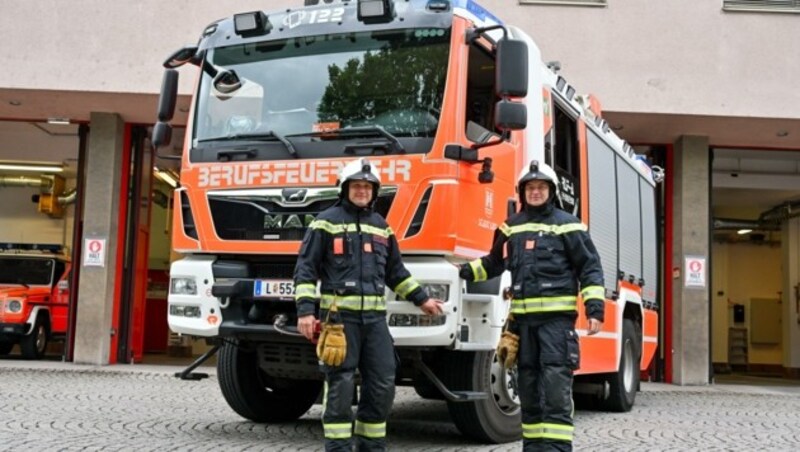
(666,56)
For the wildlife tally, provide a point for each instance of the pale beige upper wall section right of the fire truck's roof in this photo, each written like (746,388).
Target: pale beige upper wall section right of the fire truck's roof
(671,56)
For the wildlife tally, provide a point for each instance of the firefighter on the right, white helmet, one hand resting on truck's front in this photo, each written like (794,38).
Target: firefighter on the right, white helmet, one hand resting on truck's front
(551,258)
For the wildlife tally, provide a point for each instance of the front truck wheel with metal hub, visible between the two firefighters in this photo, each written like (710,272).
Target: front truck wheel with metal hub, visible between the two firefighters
(492,420)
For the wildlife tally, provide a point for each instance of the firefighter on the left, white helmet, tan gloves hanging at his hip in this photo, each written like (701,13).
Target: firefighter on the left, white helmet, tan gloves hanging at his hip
(353,252)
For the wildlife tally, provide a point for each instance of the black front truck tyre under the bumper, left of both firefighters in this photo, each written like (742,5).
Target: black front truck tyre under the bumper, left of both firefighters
(254,395)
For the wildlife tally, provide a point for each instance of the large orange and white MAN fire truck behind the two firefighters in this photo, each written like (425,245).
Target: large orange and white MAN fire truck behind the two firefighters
(449,103)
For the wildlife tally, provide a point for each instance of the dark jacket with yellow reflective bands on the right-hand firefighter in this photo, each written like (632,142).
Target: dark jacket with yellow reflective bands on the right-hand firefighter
(550,256)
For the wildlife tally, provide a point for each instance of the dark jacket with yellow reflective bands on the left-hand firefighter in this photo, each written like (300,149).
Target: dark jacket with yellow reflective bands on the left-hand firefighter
(354,253)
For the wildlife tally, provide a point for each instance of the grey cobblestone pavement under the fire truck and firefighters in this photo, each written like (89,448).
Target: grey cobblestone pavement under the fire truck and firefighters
(58,406)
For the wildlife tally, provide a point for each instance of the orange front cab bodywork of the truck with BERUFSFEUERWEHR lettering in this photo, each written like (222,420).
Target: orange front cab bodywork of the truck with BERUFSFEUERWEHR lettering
(441,232)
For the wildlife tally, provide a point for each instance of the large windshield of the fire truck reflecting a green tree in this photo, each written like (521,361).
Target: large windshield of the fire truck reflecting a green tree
(302,86)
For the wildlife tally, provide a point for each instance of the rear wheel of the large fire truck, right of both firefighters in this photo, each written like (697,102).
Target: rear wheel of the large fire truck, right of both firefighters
(624,383)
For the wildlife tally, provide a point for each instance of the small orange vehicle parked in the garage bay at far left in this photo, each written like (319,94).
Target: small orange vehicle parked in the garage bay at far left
(34,297)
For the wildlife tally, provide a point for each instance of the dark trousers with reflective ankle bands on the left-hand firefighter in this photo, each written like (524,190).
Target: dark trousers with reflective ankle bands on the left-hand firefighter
(370,349)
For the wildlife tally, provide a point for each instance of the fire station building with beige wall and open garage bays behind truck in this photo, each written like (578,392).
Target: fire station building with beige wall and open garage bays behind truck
(704,89)
